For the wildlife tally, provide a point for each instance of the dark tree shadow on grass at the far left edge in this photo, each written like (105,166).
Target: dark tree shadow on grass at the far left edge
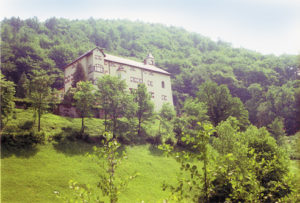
(18,151)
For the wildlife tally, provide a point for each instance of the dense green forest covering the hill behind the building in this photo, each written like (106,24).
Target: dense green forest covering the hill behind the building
(267,85)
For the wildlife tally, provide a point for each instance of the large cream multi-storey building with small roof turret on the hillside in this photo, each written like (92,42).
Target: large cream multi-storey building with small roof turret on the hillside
(96,63)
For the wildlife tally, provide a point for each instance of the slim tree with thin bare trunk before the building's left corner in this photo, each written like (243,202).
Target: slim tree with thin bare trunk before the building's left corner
(85,99)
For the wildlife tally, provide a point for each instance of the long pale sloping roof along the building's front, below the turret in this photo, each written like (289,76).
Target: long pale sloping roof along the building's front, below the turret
(124,61)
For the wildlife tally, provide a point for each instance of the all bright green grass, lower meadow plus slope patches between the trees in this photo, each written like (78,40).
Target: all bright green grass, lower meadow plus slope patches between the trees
(33,174)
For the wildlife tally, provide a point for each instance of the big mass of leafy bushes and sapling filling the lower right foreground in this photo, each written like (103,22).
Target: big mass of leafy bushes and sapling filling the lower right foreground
(247,167)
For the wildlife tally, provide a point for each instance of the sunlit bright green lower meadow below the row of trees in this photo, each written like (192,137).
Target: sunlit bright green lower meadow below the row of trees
(34,178)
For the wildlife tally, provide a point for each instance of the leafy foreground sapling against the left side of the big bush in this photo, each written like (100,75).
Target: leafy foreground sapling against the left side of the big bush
(197,185)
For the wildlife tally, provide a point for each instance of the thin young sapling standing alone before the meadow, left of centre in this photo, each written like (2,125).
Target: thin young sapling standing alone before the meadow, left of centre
(108,159)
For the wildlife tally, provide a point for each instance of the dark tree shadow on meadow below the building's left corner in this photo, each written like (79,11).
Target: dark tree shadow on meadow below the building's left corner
(73,148)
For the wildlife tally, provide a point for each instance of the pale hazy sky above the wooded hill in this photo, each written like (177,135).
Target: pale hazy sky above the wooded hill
(265,26)
